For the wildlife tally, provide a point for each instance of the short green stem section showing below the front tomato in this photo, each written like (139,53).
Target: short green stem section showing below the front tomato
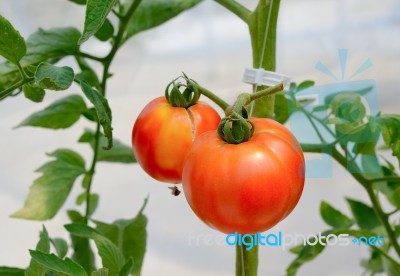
(246,261)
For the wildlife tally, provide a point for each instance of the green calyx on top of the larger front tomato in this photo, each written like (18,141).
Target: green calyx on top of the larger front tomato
(236,128)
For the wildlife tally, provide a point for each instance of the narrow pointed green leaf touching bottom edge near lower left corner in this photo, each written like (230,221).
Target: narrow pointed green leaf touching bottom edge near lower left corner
(54,263)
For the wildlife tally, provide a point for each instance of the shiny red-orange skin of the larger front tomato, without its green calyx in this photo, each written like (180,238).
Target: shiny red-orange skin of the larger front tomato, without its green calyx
(247,187)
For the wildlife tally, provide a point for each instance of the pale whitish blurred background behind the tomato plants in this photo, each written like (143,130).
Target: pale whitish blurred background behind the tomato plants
(212,46)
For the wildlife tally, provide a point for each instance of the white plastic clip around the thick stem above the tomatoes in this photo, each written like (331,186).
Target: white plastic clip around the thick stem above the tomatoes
(262,77)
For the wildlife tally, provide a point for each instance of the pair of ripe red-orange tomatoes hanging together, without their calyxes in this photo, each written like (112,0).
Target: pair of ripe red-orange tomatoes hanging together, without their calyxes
(246,187)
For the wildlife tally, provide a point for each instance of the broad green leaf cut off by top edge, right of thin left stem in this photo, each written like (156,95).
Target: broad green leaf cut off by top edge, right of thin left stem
(152,13)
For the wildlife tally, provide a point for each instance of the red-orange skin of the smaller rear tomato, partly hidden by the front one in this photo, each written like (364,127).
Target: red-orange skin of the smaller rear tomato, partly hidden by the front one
(162,136)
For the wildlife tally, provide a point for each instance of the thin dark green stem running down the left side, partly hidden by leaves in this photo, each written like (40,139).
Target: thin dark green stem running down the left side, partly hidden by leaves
(106,61)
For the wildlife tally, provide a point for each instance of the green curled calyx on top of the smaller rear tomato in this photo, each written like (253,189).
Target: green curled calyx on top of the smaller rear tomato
(180,94)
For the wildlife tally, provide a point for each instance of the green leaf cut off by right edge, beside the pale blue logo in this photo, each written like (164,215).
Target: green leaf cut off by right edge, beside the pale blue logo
(390,127)
